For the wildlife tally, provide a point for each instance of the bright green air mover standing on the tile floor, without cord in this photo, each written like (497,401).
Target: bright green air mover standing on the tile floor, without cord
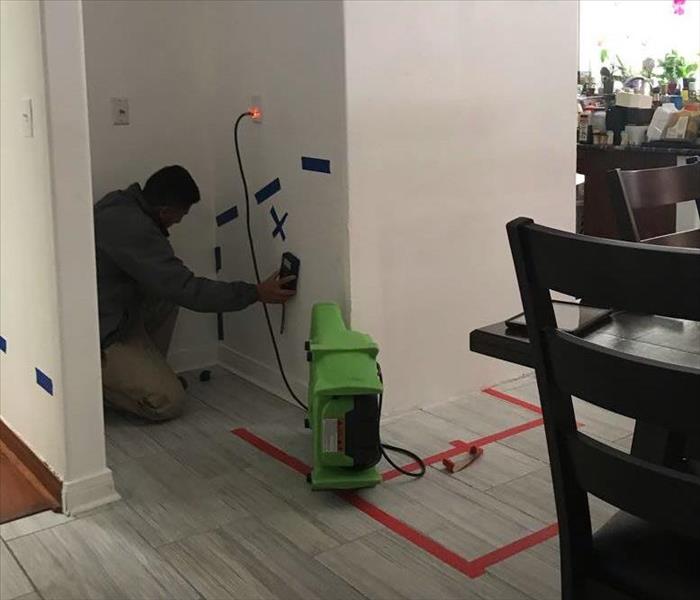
(343,412)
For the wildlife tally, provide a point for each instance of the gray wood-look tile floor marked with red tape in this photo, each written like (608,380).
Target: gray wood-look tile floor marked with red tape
(205,515)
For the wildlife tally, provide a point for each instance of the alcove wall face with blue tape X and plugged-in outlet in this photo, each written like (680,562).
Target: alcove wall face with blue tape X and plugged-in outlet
(290,53)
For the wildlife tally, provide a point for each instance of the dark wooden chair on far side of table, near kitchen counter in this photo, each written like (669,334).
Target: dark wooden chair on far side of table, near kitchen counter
(648,189)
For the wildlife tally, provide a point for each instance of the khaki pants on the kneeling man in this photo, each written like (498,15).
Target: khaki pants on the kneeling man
(135,376)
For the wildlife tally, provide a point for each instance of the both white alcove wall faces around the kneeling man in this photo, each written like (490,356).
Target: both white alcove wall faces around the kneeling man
(188,69)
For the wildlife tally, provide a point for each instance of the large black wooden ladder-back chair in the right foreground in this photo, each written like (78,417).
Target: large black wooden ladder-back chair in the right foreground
(650,549)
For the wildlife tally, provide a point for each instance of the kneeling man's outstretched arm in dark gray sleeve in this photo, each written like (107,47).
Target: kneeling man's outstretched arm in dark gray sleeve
(141,250)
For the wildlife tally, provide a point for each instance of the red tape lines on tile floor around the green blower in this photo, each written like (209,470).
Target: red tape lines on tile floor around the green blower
(470,568)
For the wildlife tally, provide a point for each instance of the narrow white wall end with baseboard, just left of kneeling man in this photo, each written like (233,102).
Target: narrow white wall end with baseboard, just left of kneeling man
(88,482)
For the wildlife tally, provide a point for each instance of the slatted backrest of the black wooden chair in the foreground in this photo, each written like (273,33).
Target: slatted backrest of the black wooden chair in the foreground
(630,276)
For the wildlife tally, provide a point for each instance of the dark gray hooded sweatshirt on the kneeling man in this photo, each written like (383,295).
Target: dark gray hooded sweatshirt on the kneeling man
(135,260)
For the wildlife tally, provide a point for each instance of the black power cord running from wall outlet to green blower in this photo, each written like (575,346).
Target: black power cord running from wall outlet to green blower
(253,255)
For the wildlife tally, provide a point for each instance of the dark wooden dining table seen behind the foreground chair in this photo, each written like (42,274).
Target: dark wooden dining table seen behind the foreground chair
(669,340)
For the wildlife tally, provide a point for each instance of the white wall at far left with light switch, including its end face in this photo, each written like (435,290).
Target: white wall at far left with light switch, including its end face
(48,307)
